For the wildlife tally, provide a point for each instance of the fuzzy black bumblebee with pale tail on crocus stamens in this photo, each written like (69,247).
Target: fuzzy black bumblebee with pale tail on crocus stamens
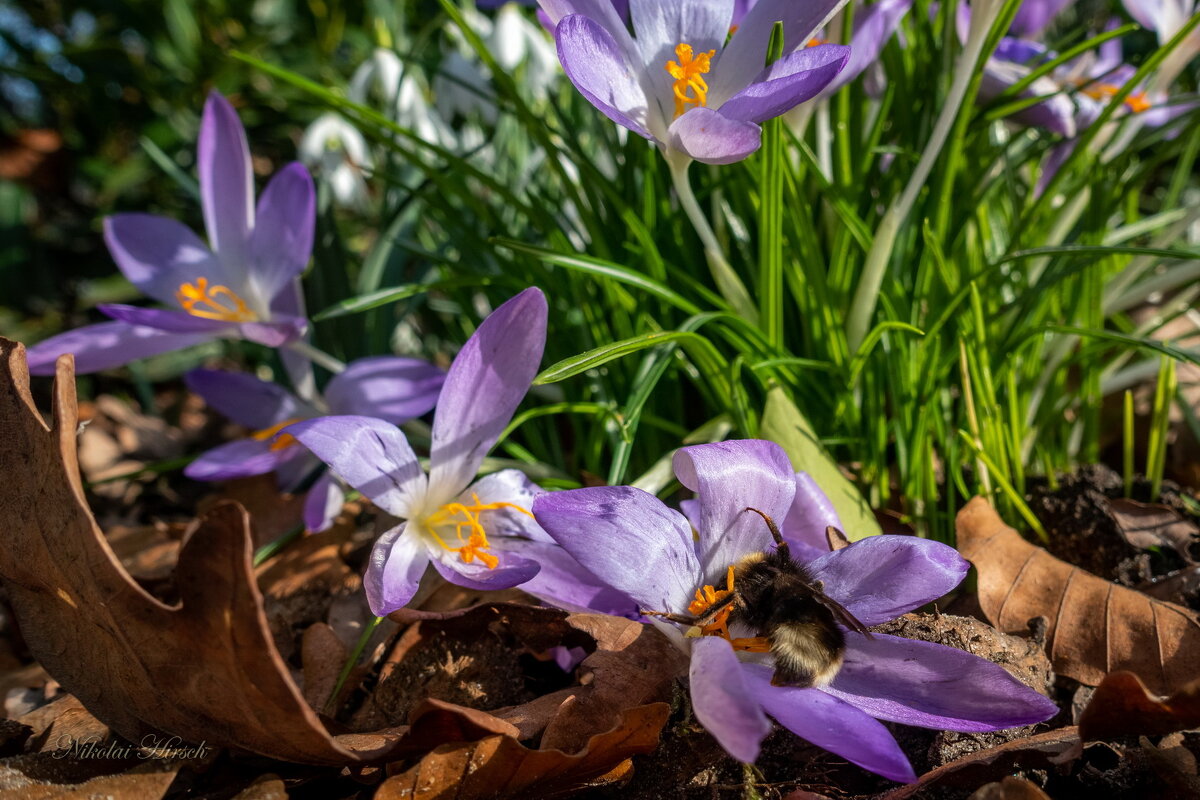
(777,597)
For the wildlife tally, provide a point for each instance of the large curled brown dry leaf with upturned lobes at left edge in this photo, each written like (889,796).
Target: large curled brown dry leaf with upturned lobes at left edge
(205,670)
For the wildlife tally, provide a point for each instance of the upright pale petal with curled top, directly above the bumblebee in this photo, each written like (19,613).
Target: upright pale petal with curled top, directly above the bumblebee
(729,478)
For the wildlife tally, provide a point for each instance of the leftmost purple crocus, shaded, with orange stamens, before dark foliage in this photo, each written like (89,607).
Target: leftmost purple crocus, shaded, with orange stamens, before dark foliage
(242,285)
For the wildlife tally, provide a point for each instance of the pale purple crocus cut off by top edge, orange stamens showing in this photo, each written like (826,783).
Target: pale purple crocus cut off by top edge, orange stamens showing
(682,81)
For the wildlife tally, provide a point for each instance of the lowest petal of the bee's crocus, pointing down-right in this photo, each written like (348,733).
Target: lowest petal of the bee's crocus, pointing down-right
(831,724)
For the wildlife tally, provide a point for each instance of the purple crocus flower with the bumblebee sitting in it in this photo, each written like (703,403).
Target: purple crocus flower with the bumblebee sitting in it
(634,543)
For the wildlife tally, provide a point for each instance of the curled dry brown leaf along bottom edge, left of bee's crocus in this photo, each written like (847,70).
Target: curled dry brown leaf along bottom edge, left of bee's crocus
(500,767)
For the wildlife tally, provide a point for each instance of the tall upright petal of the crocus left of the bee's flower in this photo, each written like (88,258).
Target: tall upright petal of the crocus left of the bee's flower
(487,383)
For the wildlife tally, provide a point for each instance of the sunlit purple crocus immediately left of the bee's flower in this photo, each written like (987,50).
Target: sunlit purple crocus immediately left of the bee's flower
(471,531)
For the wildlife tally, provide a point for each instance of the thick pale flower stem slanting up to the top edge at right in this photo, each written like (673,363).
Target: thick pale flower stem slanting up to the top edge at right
(867,294)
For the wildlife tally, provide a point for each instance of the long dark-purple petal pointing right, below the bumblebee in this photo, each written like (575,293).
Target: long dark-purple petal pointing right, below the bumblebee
(934,687)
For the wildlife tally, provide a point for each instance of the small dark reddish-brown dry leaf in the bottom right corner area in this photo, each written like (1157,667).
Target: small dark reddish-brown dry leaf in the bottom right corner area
(1123,707)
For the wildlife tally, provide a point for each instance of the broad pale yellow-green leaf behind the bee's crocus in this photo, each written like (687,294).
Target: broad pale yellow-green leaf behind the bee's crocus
(784,425)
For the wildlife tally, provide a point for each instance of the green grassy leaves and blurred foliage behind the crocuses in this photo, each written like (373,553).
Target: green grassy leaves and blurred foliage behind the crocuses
(99,112)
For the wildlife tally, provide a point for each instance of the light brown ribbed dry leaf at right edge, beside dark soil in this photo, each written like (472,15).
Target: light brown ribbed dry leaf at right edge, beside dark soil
(1094,627)
